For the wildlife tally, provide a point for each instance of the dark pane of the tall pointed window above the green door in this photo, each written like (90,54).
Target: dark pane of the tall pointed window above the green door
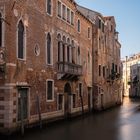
(21,48)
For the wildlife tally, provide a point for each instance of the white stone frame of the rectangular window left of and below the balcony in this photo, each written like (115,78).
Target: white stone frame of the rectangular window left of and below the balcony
(52,90)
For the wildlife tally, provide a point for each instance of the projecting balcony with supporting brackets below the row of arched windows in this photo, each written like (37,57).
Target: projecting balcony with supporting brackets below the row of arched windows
(68,71)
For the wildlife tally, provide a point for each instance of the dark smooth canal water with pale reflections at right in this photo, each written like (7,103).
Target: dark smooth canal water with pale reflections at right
(119,123)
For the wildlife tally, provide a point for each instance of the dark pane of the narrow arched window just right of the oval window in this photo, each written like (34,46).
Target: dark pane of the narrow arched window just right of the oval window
(49,49)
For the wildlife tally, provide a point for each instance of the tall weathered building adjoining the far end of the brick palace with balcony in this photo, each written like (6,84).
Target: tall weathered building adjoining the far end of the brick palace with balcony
(106,60)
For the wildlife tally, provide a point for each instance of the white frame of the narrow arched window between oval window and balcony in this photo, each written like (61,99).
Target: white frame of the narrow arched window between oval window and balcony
(51,49)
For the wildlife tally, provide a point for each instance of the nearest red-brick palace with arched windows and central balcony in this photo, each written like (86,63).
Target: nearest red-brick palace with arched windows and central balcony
(45,65)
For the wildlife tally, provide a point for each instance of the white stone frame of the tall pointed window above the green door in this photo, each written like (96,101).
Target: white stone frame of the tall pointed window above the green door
(24,51)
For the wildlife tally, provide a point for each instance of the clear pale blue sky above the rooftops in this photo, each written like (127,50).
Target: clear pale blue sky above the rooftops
(127,17)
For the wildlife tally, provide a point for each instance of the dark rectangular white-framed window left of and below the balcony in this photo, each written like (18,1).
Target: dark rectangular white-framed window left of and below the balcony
(50,89)
